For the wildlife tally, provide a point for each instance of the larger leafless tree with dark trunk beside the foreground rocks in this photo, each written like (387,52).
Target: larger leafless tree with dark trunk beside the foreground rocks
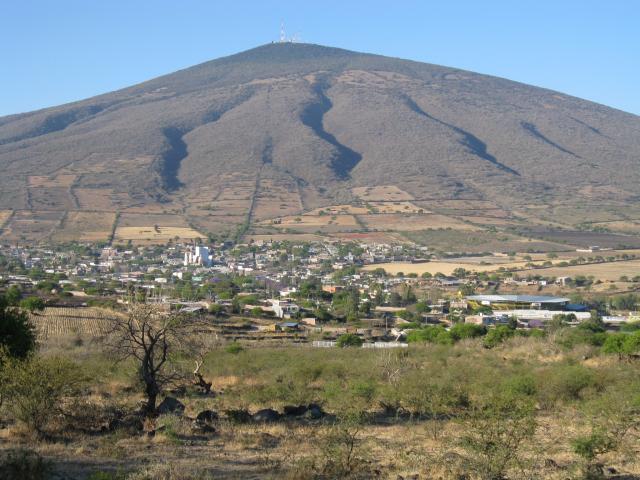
(151,337)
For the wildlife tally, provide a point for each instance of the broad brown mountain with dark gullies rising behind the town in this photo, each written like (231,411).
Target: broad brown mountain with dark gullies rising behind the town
(285,128)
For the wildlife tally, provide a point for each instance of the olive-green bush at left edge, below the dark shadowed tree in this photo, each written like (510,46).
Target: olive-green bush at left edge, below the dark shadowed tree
(35,389)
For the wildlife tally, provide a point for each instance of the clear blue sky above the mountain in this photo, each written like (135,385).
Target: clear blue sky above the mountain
(54,52)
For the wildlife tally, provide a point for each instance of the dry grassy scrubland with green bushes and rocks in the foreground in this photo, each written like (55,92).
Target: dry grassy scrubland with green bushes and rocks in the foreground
(528,408)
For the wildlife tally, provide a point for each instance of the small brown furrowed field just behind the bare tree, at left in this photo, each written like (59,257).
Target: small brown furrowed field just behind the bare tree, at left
(59,322)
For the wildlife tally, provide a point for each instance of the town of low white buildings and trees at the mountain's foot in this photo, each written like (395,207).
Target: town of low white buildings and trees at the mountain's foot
(272,292)
